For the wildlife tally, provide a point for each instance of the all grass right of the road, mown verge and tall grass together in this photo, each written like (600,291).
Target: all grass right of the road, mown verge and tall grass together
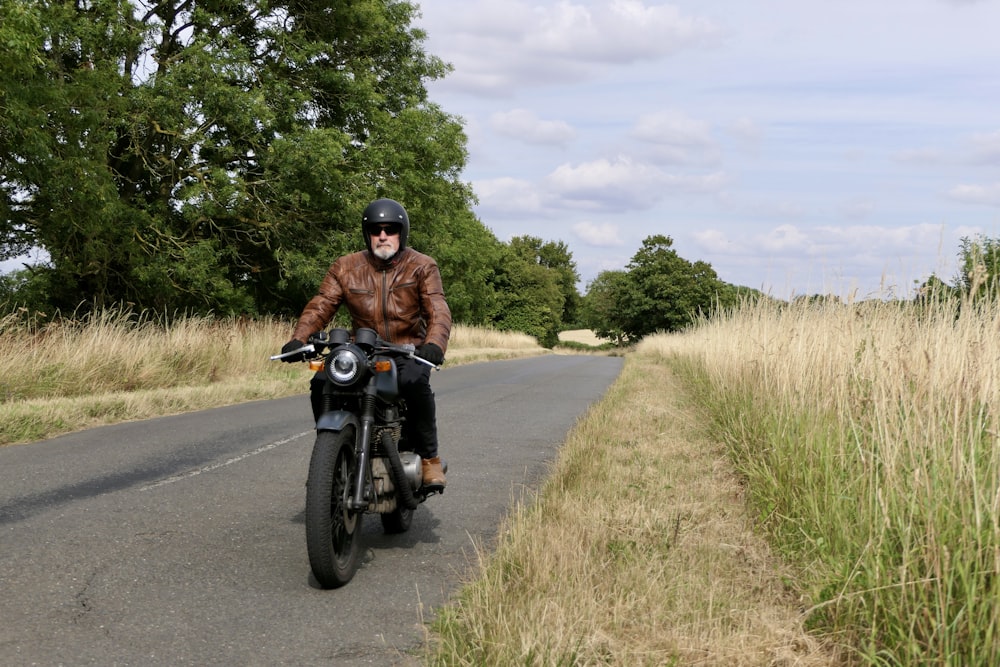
(788,485)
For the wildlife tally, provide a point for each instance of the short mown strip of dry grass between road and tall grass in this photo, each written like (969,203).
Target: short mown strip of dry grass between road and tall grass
(635,551)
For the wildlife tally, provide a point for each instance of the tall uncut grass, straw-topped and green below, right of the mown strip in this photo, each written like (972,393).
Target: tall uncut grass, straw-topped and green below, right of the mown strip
(868,437)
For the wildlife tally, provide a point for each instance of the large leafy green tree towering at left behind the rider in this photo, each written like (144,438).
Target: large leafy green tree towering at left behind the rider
(216,155)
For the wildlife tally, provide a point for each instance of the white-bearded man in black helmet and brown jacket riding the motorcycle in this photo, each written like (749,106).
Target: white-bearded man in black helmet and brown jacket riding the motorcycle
(396,291)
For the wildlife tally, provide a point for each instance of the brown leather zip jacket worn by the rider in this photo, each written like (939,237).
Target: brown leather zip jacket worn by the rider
(402,299)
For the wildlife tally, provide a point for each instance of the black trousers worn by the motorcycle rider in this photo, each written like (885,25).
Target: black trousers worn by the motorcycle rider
(420,427)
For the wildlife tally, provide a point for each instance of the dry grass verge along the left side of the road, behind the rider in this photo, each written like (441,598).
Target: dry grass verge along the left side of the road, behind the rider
(118,365)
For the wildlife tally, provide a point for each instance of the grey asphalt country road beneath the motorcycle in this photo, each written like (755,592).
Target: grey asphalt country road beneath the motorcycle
(180,540)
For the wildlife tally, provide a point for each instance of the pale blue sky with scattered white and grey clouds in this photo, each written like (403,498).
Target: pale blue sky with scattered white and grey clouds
(797,146)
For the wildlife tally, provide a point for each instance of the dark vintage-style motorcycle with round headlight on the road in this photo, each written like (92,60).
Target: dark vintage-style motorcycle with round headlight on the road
(358,463)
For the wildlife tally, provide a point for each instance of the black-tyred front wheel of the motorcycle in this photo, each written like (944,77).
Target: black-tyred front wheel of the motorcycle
(333,532)
